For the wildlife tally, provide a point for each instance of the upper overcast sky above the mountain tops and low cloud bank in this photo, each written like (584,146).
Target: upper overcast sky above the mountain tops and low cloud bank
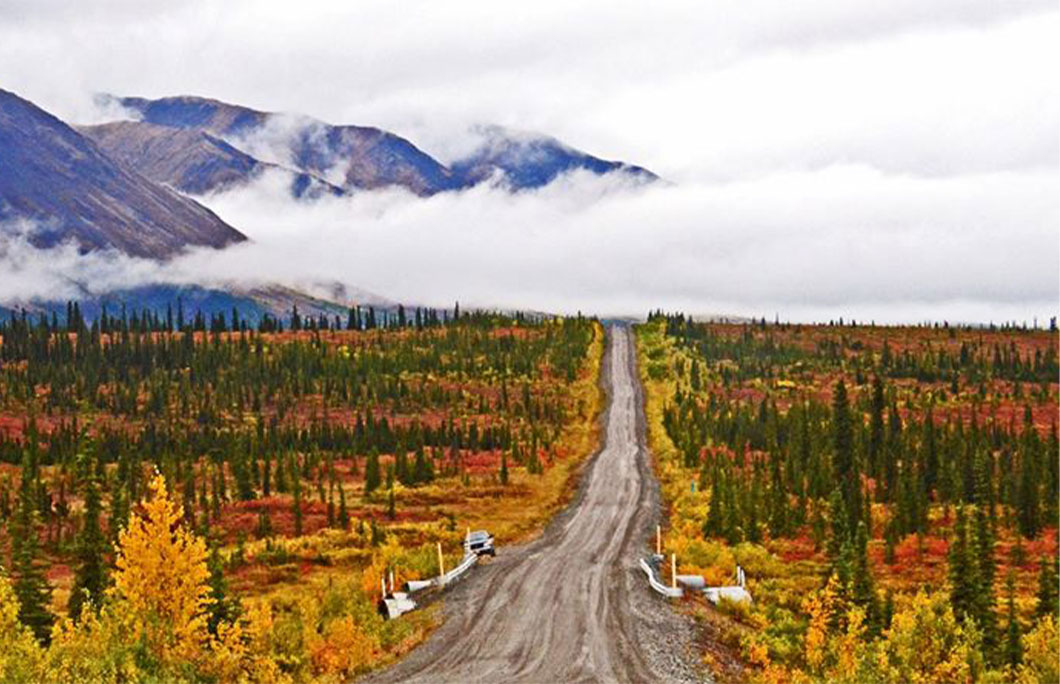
(690,90)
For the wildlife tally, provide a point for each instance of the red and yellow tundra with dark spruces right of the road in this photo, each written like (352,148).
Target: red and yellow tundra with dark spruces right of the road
(891,493)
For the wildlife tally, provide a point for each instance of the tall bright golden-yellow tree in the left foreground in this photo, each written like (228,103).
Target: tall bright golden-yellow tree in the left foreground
(162,580)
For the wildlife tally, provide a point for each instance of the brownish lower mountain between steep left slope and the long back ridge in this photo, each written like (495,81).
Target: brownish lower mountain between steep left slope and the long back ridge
(191,161)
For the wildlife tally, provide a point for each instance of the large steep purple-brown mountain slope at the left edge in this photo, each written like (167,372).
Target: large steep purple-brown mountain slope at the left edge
(54,176)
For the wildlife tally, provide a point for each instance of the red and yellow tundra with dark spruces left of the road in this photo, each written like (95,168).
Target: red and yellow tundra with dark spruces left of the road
(214,501)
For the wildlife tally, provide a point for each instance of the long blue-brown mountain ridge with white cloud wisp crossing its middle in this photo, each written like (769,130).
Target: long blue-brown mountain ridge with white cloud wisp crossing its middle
(349,157)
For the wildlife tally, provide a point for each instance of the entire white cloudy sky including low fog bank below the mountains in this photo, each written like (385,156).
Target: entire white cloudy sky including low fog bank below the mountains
(894,162)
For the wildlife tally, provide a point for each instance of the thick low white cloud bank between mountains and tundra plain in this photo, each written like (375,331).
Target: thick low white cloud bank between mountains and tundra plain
(842,241)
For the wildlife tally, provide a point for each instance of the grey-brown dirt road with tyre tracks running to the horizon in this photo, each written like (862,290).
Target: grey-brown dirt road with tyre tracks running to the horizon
(573,606)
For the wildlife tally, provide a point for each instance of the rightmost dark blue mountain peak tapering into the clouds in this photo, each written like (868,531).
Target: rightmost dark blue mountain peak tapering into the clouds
(525,162)
